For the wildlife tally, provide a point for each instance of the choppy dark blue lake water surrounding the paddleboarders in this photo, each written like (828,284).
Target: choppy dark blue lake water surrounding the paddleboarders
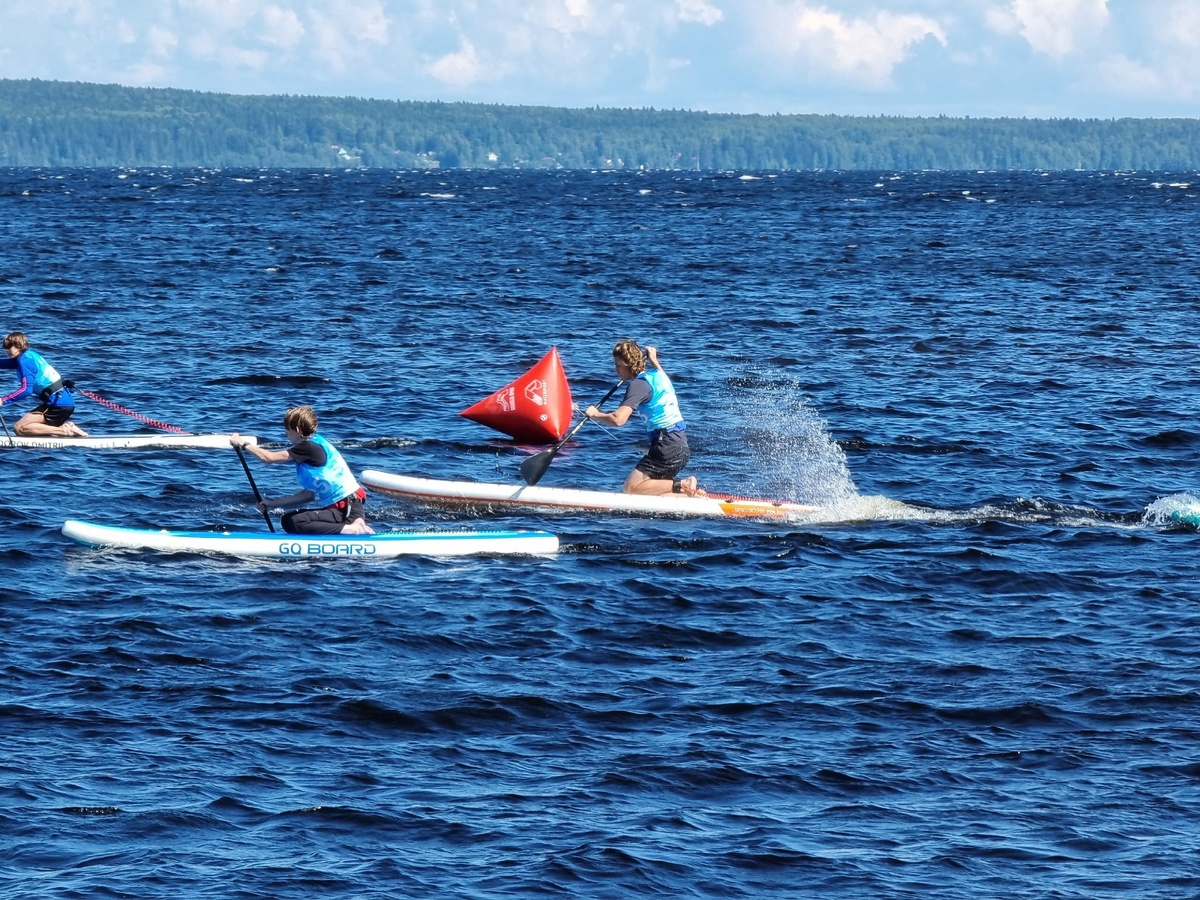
(976,676)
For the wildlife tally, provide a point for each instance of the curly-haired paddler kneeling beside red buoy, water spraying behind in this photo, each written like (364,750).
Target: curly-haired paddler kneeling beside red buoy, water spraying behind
(651,392)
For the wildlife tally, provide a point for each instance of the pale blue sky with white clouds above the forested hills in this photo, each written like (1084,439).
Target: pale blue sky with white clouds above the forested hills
(979,58)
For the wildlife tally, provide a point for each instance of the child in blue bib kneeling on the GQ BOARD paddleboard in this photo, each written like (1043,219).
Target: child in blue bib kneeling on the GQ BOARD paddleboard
(323,476)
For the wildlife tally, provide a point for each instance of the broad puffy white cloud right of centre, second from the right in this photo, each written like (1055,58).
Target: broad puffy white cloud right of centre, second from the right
(865,51)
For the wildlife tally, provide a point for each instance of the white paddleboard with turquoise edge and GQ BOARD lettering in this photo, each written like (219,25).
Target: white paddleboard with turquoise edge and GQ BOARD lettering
(291,547)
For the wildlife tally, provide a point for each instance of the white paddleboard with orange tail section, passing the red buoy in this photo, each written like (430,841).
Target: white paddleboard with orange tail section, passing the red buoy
(525,496)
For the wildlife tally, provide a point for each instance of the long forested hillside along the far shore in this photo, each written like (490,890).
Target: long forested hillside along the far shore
(75,124)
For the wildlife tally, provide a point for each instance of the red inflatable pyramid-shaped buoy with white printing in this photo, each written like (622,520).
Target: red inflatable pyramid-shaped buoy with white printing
(536,409)
